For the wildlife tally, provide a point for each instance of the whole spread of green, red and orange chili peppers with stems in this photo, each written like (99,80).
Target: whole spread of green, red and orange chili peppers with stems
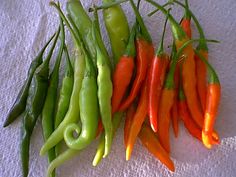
(151,90)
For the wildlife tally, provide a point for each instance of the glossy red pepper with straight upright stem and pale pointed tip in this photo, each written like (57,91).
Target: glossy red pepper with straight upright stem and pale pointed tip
(156,77)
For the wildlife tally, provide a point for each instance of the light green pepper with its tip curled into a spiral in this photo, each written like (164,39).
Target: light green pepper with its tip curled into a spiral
(88,104)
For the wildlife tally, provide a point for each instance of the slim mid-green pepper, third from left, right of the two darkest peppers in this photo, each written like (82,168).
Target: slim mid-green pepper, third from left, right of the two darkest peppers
(50,101)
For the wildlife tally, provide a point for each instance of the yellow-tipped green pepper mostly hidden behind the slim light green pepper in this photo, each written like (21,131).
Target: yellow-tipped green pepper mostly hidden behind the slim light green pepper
(101,147)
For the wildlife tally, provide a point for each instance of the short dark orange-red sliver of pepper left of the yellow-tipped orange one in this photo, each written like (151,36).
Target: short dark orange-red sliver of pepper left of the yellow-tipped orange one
(128,121)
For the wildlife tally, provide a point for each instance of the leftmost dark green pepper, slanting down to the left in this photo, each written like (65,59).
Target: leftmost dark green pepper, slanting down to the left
(20,102)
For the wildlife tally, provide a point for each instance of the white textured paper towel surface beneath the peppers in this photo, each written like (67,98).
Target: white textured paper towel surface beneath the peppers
(25,26)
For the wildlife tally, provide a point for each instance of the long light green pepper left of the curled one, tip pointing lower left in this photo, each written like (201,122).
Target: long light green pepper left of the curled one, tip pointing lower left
(73,113)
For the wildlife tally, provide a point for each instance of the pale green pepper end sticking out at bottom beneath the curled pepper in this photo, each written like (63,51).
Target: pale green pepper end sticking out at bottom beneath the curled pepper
(65,156)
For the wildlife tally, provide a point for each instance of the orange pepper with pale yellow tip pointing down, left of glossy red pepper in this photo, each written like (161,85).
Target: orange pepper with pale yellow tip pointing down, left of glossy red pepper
(138,120)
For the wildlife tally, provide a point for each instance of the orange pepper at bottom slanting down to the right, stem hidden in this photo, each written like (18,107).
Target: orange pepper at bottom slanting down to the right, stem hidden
(150,141)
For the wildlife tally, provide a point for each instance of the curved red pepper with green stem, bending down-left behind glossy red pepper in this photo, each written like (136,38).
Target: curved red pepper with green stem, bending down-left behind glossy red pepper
(145,53)
